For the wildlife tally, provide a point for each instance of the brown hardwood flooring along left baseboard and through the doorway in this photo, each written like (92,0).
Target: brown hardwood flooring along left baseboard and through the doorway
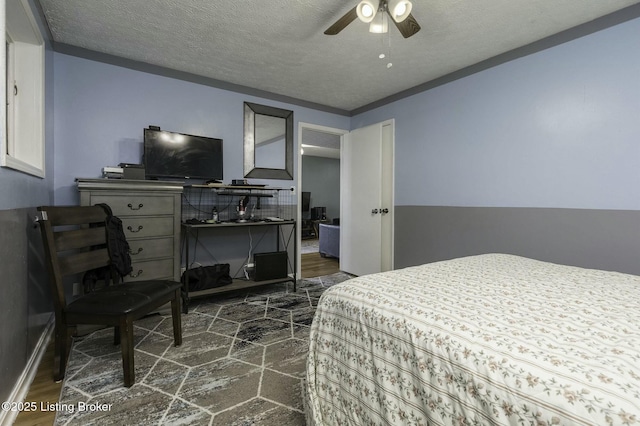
(44,389)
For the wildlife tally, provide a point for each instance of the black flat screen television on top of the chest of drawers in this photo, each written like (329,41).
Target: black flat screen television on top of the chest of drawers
(181,156)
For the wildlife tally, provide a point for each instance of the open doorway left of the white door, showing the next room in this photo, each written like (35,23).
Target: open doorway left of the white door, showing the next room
(318,192)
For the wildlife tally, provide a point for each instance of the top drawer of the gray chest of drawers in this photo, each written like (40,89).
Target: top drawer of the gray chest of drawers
(136,205)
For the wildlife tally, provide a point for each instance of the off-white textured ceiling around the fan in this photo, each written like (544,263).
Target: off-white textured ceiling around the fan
(278,46)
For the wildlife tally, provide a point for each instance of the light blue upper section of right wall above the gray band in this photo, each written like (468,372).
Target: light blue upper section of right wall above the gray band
(559,128)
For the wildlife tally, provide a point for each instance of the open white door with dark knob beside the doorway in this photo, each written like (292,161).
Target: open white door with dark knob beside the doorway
(366,216)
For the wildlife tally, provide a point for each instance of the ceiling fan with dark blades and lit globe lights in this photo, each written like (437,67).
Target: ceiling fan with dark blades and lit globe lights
(373,12)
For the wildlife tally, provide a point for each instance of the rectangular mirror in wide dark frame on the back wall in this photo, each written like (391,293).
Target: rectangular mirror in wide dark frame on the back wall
(268,142)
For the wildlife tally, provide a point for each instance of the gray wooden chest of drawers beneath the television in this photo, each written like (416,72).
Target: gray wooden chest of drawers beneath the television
(150,213)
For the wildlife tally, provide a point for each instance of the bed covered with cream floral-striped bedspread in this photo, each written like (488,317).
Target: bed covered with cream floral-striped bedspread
(482,340)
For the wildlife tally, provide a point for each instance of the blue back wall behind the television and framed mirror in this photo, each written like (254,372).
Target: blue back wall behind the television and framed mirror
(101,109)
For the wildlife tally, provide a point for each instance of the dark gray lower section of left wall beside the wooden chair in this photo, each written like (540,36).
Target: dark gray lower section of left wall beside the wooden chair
(25,305)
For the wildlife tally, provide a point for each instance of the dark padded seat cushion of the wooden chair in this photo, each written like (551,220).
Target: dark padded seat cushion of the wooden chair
(122,298)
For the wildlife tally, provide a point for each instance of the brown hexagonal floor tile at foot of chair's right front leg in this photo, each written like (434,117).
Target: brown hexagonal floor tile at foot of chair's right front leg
(199,349)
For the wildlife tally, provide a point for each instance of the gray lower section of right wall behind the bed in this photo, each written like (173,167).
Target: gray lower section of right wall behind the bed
(600,239)
